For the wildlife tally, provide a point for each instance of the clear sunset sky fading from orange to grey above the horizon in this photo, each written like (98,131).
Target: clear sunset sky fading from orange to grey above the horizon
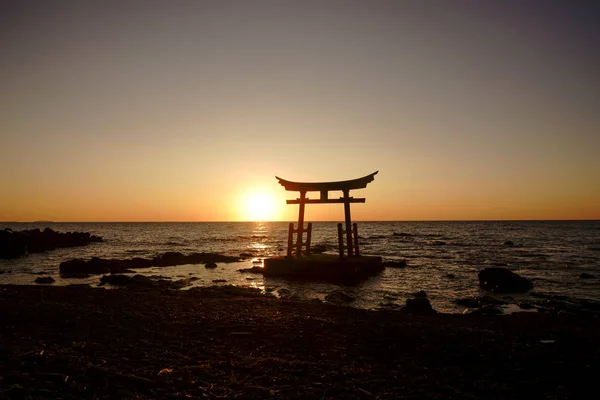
(179,110)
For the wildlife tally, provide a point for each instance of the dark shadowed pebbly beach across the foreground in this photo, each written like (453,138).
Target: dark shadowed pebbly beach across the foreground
(80,342)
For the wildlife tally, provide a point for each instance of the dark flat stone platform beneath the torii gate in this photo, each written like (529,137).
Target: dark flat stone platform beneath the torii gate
(324,267)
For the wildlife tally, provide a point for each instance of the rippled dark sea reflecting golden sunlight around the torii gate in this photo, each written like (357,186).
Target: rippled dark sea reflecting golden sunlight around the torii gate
(443,258)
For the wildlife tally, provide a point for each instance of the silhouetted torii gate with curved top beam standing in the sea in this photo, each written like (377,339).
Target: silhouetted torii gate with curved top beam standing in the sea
(324,188)
